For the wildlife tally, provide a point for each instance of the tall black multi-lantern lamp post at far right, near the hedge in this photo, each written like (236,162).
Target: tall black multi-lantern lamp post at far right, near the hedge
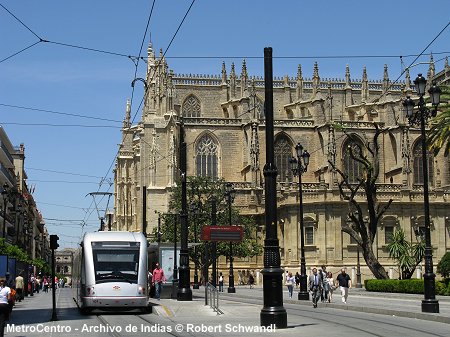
(419,117)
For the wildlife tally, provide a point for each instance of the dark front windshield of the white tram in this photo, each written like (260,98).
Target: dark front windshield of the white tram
(116,264)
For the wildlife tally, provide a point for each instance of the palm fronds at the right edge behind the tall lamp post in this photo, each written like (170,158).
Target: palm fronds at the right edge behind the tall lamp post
(439,134)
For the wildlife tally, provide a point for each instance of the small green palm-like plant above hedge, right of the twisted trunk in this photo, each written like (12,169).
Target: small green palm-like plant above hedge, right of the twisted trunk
(407,255)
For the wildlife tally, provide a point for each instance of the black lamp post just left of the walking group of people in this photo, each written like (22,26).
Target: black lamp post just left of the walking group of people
(299,166)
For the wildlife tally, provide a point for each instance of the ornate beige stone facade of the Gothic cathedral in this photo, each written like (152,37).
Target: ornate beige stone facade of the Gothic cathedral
(223,116)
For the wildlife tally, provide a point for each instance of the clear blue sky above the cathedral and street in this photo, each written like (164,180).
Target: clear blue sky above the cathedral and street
(67,156)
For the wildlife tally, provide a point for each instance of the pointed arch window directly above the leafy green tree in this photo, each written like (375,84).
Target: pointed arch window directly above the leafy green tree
(206,157)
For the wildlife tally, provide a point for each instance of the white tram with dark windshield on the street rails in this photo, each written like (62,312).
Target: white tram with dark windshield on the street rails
(110,272)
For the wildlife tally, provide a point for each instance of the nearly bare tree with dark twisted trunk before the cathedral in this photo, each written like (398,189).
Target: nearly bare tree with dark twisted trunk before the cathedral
(360,227)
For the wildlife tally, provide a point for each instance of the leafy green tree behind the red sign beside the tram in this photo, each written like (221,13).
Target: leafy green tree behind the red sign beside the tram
(200,193)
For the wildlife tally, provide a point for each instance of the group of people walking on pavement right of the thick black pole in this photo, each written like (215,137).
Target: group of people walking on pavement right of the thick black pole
(321,284)
